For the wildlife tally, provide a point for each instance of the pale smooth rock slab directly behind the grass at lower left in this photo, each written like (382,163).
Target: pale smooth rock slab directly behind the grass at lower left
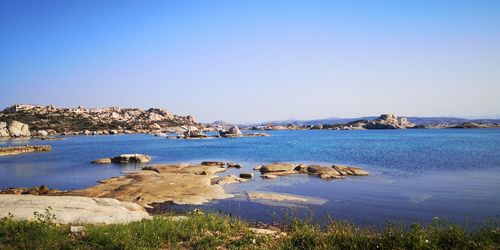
(72,209)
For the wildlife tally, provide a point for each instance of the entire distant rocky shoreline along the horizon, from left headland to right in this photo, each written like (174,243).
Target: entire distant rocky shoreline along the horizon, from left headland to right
(42,121)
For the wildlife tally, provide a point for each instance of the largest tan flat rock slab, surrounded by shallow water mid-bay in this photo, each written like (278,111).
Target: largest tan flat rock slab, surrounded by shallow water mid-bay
(179,183)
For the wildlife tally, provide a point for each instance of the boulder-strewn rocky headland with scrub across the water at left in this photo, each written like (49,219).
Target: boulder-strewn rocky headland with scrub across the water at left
(26,120)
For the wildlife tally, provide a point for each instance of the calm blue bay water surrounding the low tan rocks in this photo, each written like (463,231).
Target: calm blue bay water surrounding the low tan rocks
(416,174)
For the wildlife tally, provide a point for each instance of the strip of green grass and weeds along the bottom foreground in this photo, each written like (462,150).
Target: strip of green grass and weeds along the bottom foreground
(221,232)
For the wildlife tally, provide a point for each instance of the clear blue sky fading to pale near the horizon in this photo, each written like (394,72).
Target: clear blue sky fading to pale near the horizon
(258,60)
